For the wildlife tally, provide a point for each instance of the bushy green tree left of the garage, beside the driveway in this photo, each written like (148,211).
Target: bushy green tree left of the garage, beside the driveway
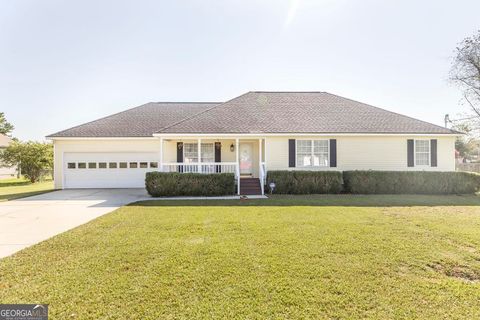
(33,158)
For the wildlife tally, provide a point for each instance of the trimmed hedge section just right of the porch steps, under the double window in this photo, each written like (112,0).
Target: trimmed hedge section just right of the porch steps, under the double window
(305,182)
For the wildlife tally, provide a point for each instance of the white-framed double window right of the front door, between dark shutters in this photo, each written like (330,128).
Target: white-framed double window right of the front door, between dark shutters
(312,153)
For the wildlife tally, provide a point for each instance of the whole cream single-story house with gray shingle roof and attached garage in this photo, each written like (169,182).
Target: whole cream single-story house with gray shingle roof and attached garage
(248,136)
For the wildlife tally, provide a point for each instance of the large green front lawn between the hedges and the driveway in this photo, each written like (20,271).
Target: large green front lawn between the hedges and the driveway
(331,257)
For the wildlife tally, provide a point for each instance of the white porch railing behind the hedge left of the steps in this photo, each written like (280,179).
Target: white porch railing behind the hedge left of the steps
(201,167)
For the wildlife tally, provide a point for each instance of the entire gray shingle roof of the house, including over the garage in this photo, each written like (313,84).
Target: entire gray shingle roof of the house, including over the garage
(256,112)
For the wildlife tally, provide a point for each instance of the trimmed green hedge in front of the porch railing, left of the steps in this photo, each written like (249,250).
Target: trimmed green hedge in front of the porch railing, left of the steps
(169,184)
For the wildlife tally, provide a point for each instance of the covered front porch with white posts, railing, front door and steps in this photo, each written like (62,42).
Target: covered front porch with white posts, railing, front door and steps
(245,158)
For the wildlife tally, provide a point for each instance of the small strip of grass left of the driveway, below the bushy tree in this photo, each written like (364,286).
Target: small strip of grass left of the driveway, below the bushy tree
(11,189)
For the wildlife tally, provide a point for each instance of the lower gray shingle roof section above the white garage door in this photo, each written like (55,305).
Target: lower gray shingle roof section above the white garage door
(141,121)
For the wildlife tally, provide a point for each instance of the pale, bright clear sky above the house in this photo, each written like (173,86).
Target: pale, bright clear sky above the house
(63,63)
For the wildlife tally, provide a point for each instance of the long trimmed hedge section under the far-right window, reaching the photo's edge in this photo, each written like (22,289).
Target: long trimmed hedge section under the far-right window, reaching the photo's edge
(410,182)
